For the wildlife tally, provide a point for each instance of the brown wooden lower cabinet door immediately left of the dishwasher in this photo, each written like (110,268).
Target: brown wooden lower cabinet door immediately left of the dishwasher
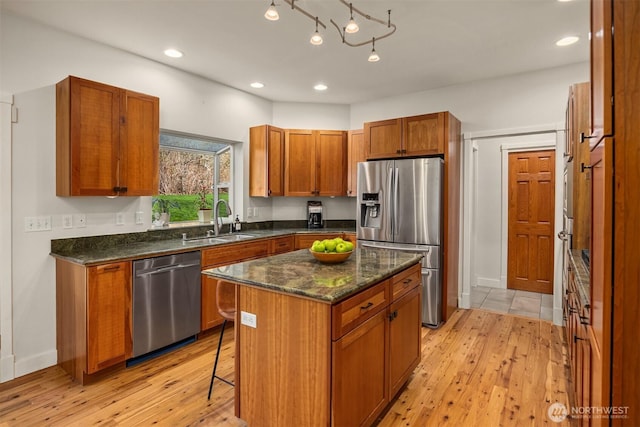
(108,315)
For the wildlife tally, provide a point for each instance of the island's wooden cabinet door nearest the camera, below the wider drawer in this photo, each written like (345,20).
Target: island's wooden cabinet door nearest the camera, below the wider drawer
(359,389)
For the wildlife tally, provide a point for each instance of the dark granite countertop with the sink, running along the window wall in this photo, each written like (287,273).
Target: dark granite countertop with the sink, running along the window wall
(104,249)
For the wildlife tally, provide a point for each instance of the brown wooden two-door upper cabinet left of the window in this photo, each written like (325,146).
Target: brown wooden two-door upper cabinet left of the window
(107,140)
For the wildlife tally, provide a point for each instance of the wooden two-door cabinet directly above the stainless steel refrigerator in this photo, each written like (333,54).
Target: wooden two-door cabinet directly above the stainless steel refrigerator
(422,135)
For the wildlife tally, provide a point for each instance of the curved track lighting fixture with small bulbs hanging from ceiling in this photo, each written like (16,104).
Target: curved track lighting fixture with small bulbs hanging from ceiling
(345,32)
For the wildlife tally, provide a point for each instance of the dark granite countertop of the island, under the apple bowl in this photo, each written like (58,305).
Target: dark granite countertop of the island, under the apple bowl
(301,274)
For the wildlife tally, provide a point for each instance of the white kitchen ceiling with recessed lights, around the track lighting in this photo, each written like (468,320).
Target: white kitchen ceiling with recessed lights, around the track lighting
(437,43)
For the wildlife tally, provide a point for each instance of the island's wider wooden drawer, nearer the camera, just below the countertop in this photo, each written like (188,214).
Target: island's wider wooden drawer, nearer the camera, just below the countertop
(352,312)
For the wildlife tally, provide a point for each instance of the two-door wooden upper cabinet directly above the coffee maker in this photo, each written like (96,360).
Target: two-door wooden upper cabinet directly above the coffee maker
(315,163)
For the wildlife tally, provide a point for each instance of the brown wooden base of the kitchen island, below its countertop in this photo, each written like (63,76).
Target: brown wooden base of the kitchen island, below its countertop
(338,364)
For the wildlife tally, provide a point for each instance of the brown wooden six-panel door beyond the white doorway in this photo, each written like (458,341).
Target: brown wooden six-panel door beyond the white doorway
(531,221)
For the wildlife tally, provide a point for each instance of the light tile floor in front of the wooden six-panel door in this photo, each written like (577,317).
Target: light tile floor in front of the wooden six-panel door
(523,303)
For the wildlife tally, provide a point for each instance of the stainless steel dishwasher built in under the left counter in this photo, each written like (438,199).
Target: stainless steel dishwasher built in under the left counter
(166,301)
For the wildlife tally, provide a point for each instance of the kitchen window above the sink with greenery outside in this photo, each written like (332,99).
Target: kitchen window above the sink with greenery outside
(195,172)
